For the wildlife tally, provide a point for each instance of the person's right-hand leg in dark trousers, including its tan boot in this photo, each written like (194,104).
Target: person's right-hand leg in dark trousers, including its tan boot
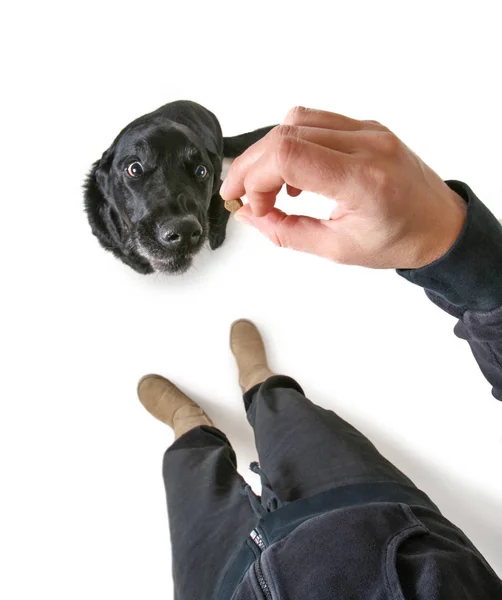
(303,448)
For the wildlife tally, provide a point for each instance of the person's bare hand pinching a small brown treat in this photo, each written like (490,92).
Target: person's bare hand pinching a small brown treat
(393,211)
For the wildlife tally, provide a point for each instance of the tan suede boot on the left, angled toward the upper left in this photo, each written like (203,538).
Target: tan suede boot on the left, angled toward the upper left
(170,405)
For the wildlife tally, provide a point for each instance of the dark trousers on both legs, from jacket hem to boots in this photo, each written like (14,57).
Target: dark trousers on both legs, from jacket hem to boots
(303,450)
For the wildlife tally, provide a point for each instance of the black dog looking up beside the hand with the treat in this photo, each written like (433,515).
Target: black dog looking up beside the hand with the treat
(153,198)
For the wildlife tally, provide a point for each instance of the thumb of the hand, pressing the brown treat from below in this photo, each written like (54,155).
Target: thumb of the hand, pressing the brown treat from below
(292,231)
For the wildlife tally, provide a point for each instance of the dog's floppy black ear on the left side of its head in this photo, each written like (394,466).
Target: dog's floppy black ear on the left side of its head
(105,220)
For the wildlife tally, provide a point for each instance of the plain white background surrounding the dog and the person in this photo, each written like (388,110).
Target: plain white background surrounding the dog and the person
(82,502)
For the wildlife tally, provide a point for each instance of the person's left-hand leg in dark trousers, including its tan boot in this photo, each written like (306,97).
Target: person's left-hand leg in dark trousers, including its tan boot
(209,517)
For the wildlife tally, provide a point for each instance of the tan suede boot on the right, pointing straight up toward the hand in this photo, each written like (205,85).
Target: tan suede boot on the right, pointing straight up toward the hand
(249,351)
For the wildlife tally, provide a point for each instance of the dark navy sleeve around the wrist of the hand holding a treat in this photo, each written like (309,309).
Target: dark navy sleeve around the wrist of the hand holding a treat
(467,283)
